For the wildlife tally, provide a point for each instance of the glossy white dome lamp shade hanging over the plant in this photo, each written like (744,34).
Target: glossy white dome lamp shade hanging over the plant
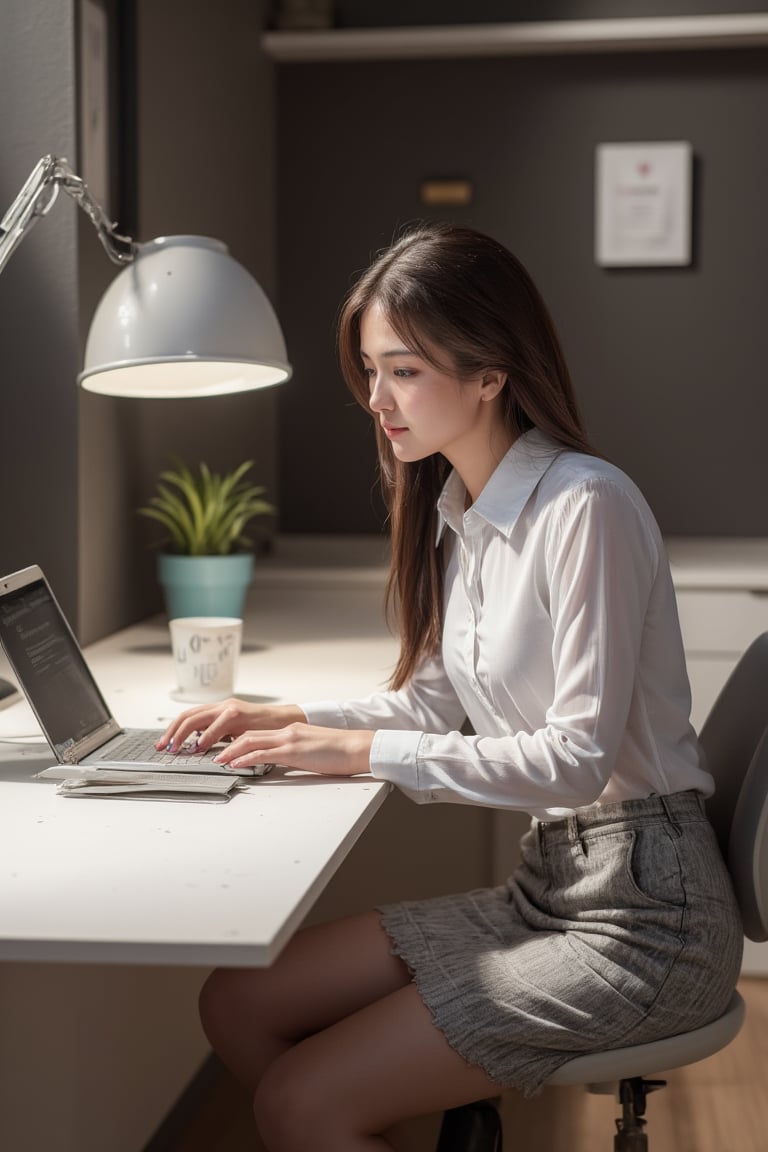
(184,320)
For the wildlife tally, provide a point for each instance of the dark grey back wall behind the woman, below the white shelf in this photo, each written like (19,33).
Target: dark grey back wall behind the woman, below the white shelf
(670,365)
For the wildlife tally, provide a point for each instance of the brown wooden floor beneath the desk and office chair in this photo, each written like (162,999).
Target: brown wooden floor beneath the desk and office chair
(720,1105)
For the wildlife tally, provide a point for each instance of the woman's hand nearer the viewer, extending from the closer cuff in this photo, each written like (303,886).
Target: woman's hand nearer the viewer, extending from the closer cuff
(329,752)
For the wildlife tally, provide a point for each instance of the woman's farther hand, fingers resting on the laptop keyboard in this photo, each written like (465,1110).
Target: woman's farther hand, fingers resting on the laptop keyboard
(209,724)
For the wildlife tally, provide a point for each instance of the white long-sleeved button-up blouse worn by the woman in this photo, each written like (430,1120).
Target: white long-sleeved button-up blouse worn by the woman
(561,647)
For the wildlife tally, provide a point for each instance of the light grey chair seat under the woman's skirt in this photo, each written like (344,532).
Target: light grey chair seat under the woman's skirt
(598,1068)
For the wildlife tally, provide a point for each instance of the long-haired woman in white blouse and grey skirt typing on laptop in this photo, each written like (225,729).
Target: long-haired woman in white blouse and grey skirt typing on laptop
(535,601)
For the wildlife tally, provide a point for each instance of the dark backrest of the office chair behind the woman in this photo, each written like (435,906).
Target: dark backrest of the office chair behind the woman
(735,742)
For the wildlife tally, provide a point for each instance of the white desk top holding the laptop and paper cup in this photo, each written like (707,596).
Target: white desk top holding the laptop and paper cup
(127,882)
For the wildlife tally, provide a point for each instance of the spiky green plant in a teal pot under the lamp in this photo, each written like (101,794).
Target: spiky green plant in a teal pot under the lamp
(209,563)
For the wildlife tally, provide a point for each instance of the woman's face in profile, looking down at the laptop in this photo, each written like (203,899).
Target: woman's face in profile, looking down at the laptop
(422,410)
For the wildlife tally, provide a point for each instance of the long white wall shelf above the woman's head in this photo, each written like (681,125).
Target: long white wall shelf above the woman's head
(541,39)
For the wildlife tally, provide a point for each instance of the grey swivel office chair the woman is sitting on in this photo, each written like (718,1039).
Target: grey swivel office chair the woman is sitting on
(735,741)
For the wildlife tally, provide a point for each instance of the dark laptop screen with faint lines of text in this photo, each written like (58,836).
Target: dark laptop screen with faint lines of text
(50,665)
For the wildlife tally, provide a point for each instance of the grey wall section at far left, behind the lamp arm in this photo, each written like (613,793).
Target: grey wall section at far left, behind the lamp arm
(40,307)
